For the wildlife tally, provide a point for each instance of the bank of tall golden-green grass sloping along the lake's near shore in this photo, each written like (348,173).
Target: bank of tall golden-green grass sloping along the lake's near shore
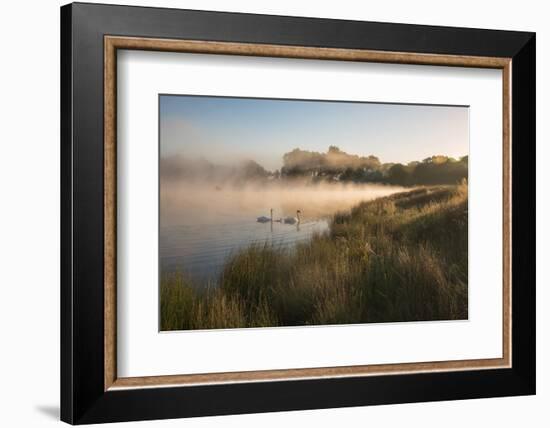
(398,258)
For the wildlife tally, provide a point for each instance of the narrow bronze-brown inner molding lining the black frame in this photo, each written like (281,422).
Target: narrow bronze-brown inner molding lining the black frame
(113,43)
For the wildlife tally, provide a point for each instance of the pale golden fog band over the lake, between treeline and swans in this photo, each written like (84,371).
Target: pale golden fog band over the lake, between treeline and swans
(205,202)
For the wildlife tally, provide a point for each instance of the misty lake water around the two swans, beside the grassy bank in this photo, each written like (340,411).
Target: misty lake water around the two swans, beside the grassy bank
(202,226)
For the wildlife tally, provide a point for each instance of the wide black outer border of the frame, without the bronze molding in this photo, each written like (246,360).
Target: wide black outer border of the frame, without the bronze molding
(83,399)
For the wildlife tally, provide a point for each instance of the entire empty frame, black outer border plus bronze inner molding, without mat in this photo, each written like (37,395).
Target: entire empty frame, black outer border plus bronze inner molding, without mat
(91,390)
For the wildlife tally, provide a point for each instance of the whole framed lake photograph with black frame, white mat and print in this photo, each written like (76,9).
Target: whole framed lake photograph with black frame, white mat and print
(266,213)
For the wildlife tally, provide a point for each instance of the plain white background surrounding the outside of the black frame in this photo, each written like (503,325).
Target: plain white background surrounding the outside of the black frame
(29,213)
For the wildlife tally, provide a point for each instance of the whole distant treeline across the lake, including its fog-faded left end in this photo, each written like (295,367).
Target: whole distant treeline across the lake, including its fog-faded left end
(334,165)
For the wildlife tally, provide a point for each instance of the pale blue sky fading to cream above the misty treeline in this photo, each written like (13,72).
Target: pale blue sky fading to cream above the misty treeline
(227,130)
